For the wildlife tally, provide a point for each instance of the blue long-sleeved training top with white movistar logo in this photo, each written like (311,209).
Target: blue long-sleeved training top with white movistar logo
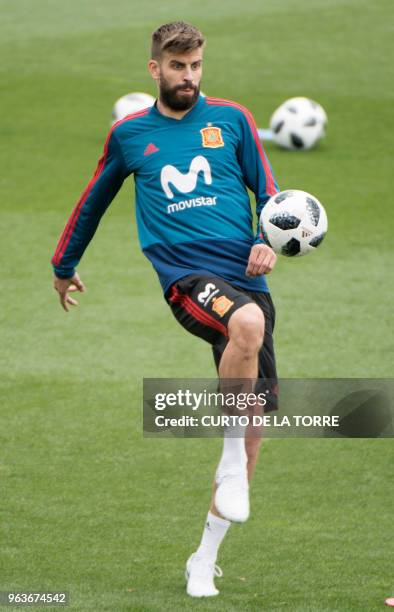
(191,178)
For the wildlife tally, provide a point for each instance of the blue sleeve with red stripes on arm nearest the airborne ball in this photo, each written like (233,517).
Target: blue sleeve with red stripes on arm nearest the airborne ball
(257,171)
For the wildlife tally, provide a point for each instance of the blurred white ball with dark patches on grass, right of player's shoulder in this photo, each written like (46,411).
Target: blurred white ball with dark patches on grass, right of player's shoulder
(298,124)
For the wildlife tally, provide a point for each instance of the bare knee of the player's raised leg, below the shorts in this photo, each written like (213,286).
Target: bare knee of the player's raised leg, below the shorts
(246,329)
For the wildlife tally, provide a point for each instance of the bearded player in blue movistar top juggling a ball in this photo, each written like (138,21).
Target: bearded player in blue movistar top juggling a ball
(193,158)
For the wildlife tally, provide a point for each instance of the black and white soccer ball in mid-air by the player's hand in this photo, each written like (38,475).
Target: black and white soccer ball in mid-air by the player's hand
(293,222)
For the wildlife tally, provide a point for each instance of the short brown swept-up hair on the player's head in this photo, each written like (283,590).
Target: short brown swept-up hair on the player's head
(177,37)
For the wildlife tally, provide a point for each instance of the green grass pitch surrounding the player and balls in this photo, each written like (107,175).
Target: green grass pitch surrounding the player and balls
(87,504)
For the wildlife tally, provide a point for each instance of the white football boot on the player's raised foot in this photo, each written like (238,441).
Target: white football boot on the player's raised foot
(232,495)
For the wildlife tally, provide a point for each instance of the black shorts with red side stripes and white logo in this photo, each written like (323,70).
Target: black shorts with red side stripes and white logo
(204,304)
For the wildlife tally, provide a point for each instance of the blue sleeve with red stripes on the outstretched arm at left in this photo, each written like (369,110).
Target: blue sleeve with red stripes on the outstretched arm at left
(108,178)
